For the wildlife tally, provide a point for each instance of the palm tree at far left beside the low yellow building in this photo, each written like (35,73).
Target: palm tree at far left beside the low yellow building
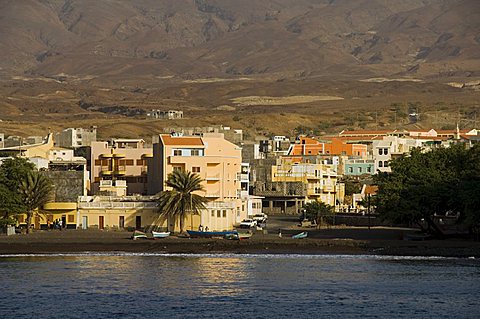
(35,190)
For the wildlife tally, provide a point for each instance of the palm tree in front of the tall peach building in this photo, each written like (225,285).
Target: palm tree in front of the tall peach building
(180,201)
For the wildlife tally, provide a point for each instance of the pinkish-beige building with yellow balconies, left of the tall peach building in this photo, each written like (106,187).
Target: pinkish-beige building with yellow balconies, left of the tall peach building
(120,160)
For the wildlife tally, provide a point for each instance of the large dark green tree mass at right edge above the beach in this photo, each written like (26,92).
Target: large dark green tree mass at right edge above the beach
(427,184)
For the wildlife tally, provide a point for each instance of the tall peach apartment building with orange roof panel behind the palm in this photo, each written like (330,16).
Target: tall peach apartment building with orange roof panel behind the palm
(217,161)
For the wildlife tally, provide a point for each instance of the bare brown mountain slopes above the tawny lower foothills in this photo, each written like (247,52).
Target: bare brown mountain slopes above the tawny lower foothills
(198,38)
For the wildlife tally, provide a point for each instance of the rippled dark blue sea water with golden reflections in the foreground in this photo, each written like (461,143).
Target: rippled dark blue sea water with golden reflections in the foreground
(237,286)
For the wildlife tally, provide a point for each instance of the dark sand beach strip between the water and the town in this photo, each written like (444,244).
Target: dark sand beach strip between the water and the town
(378,241)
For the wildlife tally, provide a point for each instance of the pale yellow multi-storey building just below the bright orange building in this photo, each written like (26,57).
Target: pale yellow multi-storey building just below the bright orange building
(321,179)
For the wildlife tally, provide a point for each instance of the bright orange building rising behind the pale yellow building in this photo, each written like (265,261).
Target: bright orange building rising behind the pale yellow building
(310,146)
